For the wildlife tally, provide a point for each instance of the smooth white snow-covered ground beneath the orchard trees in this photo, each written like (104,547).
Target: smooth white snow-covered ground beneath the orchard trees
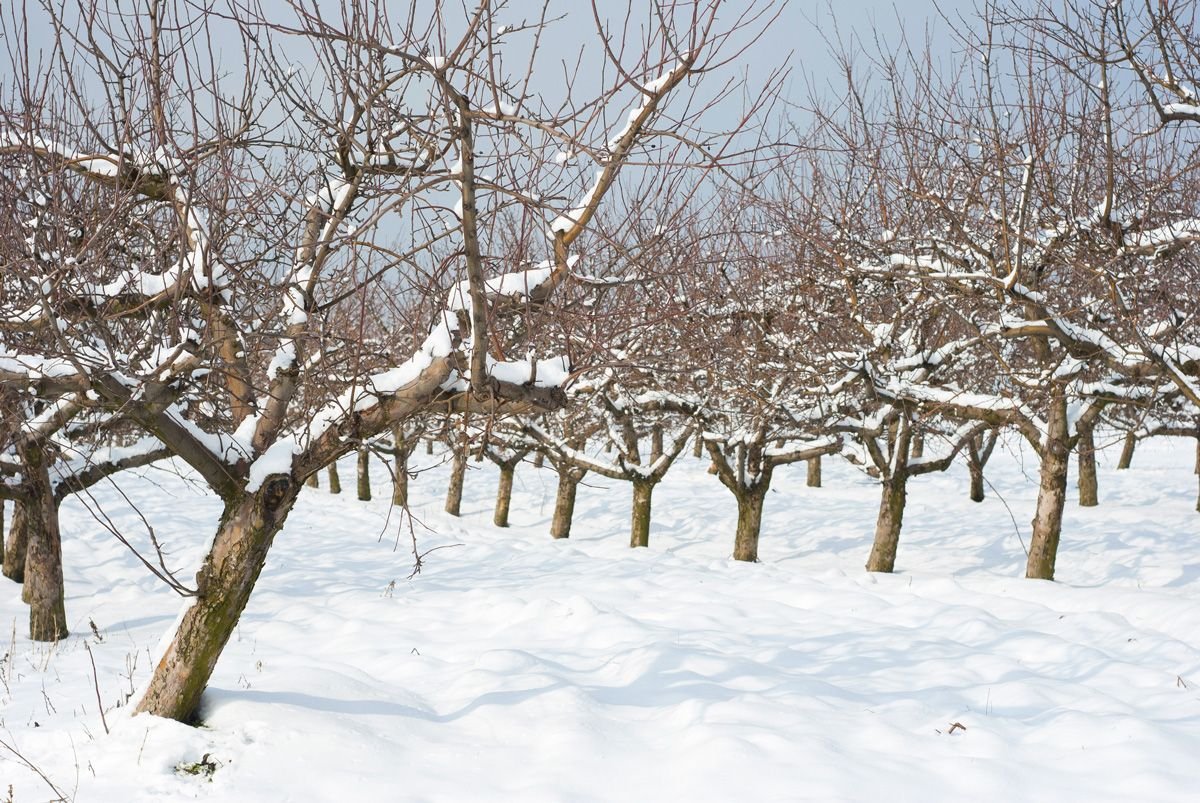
(514,668)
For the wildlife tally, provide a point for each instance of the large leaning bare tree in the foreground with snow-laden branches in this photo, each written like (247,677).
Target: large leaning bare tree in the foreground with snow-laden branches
(362,163)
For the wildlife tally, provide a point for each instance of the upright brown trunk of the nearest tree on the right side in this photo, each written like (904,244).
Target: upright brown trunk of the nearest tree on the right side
(1052,492)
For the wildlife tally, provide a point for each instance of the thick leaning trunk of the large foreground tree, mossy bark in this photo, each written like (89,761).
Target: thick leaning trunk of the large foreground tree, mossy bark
(248,528)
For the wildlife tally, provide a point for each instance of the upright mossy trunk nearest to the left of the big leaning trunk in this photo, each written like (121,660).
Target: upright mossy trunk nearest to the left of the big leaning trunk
(44,555)
